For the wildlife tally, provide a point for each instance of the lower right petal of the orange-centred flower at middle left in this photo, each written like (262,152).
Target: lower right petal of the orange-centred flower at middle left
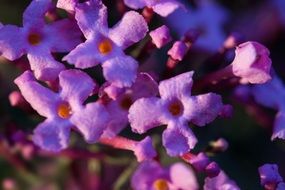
(91,121)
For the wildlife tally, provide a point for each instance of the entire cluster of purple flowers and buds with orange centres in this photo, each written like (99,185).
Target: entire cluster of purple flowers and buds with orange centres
(123,96)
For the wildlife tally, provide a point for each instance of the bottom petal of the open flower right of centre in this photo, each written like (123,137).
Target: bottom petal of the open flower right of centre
(178,139)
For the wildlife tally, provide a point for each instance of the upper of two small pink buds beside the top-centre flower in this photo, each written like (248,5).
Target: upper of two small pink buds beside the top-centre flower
(160,36)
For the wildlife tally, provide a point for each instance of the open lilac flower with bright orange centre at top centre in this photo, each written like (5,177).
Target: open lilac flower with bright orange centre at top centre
(104,45)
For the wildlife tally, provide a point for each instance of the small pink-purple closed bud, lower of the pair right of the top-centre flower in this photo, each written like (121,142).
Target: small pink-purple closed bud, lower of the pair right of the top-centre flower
(178,50)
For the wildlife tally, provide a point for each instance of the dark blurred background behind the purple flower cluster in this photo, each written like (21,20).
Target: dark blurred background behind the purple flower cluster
(248,132)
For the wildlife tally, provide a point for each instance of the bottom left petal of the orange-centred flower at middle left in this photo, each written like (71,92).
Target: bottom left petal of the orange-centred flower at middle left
(52,135)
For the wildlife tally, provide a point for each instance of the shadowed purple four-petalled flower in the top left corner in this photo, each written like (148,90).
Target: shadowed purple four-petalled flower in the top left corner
(38,40)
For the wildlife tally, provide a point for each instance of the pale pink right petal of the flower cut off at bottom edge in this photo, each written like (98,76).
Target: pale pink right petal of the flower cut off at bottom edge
(183,177)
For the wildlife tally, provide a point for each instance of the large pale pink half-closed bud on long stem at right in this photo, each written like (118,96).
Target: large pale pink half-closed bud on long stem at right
(252,63)
